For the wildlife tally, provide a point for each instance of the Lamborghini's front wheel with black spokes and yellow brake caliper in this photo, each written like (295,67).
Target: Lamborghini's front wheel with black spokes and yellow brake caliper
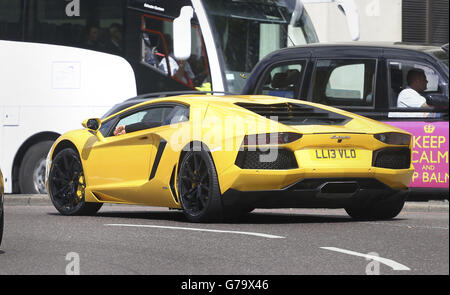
(67,185)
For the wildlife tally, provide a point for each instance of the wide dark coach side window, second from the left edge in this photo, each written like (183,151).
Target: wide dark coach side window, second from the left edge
(97,27)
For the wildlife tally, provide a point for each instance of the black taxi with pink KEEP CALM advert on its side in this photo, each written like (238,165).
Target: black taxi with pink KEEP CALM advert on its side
(367,78)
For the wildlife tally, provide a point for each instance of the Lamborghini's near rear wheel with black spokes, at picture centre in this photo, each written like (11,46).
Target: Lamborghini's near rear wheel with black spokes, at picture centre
(198,187)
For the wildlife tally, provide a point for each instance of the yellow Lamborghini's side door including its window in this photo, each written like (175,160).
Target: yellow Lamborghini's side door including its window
(118,165)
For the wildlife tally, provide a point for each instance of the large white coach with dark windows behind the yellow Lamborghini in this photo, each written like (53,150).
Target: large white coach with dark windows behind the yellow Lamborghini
(227,37)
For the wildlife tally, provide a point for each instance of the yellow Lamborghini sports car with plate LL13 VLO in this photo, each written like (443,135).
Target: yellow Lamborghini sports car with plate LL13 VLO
(216,156)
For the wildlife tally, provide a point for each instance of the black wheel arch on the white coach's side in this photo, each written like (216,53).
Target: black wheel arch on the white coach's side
(26,145)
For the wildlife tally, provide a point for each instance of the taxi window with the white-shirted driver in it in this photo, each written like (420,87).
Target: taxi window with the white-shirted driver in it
(404,91)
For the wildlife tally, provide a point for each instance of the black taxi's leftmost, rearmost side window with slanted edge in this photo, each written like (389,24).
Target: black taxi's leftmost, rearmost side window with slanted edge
(283,80)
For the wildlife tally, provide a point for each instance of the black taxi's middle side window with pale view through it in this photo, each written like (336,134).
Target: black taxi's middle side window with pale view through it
(341,82)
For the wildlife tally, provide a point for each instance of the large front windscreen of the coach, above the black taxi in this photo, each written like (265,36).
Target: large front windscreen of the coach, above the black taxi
(246,31)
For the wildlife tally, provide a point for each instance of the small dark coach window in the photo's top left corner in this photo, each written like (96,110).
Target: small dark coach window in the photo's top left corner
(10,20)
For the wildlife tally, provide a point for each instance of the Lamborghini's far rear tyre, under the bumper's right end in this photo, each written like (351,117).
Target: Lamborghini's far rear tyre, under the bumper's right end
(387,208)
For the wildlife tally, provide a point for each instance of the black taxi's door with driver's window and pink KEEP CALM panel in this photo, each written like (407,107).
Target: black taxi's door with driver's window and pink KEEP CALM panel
(428,124)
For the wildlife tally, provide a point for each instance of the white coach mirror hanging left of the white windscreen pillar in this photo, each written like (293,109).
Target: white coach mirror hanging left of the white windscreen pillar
(182,34)
